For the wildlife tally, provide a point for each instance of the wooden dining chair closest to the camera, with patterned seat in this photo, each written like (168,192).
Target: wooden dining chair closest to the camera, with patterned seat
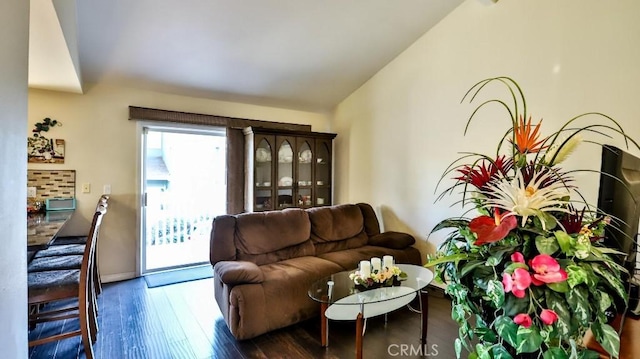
(47,288)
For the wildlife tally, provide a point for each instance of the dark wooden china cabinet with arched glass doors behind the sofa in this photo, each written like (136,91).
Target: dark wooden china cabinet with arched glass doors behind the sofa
(287,169)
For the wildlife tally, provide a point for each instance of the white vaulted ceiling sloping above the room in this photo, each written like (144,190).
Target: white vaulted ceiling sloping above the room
(303,54)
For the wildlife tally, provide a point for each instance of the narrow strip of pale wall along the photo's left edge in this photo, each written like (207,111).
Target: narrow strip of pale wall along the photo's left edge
(14,40)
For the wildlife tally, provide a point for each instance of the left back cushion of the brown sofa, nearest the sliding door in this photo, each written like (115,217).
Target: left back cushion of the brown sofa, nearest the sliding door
(267,237)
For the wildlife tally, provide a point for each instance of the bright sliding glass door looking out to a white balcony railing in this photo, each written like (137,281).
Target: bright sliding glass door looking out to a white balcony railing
(183,189)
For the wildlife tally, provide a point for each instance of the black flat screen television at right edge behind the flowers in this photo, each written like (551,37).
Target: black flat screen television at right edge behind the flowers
(619,197)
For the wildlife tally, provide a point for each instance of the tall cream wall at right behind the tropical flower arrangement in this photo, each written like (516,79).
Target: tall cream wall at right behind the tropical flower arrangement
(400,130)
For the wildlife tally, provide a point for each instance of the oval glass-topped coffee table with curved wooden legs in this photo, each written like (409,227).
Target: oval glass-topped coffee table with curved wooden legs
(340,300)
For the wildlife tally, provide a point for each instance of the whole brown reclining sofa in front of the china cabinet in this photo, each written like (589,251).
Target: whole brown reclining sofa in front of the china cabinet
(264,262)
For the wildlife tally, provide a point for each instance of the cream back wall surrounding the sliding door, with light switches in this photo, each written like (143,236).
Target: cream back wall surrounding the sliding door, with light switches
(101,145)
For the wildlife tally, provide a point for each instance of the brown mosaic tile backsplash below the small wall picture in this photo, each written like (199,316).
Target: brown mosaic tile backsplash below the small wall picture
(52,184)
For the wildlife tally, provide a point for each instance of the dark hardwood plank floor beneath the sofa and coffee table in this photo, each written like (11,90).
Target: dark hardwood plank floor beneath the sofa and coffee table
(183,321)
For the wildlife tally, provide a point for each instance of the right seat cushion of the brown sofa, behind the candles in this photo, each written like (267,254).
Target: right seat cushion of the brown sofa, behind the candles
(350,258)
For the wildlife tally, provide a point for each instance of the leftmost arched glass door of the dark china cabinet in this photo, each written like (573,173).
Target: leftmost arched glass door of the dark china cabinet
(263,176)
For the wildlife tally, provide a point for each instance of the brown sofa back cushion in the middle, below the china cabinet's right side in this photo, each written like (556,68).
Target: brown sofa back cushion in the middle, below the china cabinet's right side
(337,228)
